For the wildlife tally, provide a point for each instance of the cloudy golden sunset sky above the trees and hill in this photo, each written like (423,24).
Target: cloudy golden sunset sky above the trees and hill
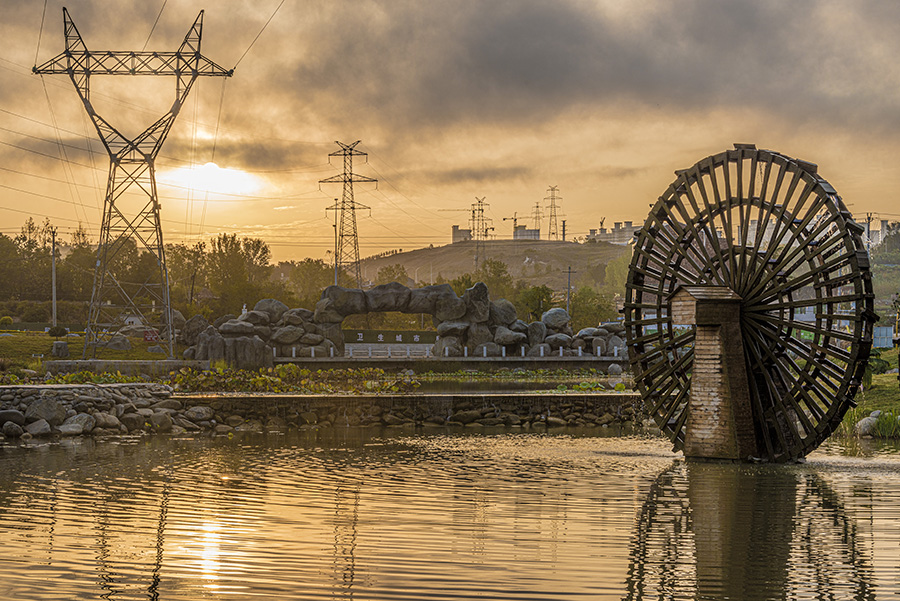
(450,101)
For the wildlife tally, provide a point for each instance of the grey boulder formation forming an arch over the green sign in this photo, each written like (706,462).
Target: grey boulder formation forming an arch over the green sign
(468,325)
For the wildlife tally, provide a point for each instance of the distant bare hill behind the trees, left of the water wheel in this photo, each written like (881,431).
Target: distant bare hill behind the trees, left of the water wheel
(535,261)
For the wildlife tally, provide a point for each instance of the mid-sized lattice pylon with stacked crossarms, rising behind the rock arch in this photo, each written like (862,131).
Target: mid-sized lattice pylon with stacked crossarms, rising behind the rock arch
(347,251)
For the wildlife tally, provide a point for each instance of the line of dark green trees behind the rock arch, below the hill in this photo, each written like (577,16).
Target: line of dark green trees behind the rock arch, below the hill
(222,275)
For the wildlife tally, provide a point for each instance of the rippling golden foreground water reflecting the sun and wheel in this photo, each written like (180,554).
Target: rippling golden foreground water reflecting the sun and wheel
(370,514)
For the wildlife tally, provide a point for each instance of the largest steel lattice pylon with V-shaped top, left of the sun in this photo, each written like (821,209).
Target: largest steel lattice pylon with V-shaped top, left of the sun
(132,171)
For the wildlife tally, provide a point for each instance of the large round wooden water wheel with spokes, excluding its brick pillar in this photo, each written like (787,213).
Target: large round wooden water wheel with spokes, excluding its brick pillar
(770,232)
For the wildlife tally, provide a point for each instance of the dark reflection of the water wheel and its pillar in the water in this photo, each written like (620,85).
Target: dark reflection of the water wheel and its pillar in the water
(739,532)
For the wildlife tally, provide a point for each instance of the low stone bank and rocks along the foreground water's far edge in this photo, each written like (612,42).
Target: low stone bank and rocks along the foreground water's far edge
(60,410)
